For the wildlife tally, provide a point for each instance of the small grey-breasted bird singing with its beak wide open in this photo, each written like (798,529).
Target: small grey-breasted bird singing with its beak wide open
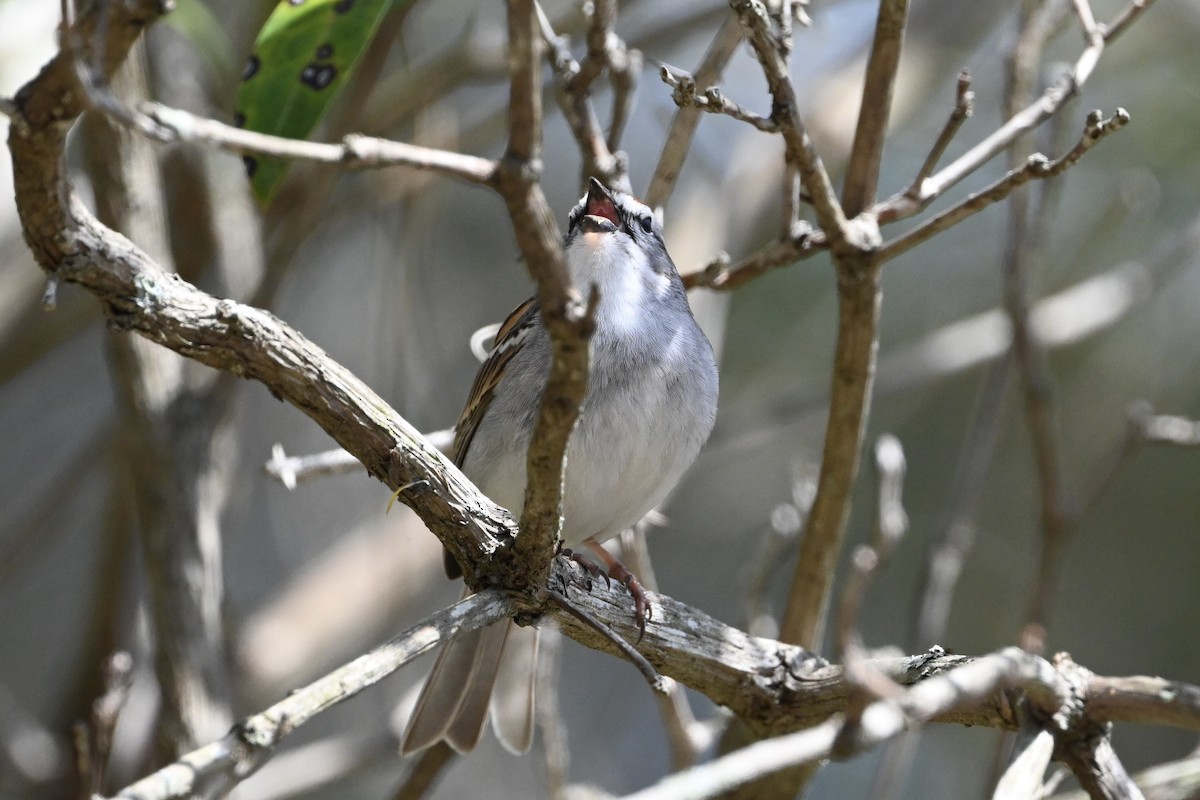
(650,407)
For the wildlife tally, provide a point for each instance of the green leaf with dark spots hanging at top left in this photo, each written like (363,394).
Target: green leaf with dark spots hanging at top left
(302,59)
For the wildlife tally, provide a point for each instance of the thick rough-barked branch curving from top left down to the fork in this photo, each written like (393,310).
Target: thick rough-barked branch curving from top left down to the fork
(73,246)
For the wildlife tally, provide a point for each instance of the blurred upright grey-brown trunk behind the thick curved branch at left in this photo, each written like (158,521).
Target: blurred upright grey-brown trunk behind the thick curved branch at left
(176,442)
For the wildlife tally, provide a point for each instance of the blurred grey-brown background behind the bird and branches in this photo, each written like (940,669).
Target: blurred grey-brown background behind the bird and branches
(392,272)
